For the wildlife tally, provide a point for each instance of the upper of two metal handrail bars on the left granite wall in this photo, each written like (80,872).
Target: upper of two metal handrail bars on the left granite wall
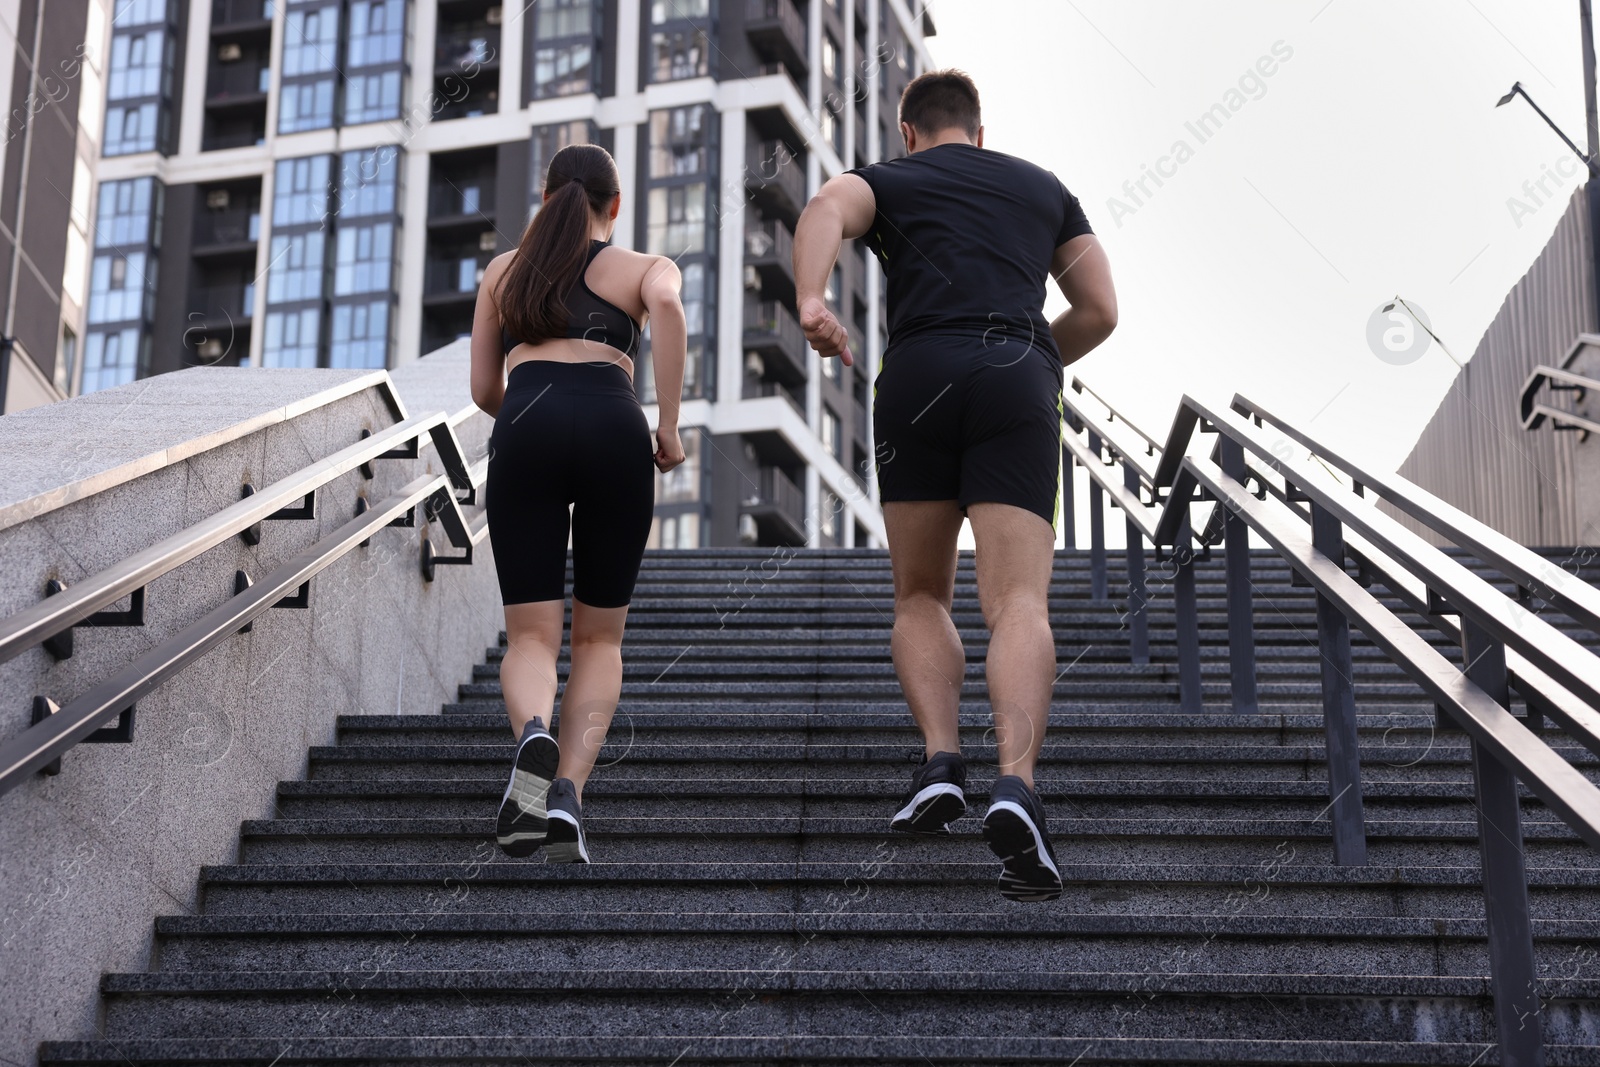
(78,602)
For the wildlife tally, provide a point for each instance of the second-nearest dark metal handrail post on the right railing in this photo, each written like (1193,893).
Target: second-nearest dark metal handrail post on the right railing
(1338,705)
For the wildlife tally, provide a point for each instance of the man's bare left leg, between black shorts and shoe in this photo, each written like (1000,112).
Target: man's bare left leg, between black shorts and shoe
(927,650)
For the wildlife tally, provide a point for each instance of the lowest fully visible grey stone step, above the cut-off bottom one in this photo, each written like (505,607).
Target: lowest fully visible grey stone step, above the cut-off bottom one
(788,999)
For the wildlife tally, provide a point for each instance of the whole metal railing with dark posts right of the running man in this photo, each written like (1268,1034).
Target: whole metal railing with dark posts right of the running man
(1503,642)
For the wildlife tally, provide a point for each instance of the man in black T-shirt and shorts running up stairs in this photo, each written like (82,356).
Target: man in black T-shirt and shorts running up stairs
(967,418)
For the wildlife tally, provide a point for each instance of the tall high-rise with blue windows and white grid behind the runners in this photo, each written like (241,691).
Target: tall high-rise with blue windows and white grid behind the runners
(321,183)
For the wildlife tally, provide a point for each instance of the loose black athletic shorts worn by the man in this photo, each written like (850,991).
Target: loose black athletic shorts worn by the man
(959,420)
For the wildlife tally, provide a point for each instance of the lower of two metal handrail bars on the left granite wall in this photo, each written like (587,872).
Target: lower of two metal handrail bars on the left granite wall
(49,740)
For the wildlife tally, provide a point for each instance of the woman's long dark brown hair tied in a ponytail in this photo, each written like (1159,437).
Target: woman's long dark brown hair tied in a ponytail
(578,186)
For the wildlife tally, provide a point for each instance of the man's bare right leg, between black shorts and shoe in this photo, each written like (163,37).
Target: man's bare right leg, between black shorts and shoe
(1015,556)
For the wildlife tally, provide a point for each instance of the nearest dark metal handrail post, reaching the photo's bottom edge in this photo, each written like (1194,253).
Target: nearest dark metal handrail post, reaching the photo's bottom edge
(1513,970)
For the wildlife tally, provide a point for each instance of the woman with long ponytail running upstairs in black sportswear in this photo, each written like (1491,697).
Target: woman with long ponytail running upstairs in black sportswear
(553,361)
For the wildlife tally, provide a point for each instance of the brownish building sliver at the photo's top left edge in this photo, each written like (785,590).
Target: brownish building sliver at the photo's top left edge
(52,92)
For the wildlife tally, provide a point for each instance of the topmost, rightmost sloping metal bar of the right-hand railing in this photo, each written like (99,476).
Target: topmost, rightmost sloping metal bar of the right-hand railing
(1530,570)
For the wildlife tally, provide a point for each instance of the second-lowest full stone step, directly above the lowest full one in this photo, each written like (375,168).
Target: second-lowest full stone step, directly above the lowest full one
(1354,945)
